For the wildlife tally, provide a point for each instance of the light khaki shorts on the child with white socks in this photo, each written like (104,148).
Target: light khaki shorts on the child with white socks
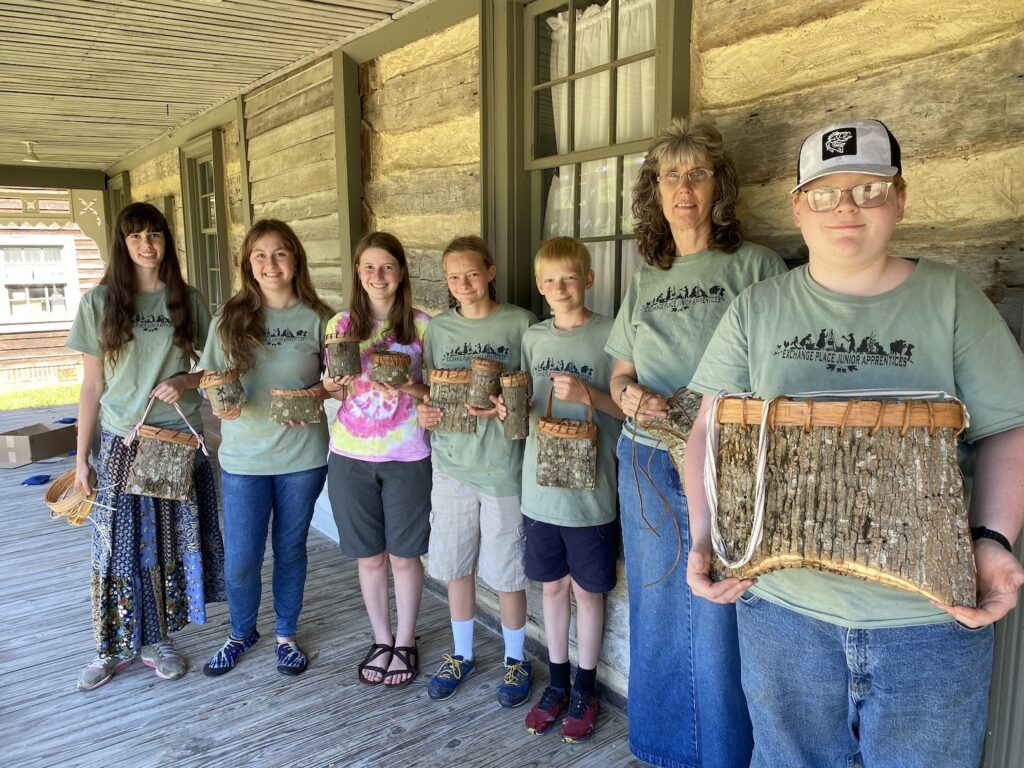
(473,531)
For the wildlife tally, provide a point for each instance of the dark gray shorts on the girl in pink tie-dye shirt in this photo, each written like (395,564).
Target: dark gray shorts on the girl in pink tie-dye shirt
(380,506)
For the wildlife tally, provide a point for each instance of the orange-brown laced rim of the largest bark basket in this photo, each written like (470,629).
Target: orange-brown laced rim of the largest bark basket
(902,414)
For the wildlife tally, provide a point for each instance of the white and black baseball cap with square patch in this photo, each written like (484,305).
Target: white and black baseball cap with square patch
(852,147)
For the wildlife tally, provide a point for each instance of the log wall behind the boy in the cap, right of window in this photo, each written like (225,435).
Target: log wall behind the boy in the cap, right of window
(943,80)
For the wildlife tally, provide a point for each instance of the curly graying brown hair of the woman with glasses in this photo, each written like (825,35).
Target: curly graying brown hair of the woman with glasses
(684,143)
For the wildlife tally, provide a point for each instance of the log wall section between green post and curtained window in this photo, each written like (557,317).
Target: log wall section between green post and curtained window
(421,150)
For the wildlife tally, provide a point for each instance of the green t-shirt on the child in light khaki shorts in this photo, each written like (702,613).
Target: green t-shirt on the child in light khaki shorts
(486,461)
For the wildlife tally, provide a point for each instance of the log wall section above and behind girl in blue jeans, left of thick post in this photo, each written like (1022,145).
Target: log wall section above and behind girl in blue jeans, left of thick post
(292,173)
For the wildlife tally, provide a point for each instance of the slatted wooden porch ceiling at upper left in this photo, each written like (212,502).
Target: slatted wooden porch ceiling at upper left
(92,81)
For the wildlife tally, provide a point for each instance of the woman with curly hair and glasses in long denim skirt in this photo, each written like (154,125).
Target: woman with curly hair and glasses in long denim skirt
(687,705)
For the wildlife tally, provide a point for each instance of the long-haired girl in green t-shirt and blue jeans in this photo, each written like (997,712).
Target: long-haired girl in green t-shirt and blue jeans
(272,332)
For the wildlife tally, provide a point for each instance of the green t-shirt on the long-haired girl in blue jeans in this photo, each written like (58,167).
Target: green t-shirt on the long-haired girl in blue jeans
(254,444)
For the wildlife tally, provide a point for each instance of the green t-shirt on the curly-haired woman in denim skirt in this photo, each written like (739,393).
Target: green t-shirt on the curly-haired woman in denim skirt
(668,316)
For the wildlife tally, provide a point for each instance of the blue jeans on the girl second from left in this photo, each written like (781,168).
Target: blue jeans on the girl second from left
(248,502)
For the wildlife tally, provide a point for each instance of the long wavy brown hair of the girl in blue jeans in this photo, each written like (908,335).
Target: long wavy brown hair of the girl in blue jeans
(243,329)
